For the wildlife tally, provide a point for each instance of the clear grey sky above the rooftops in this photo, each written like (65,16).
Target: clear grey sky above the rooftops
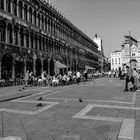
(110,19)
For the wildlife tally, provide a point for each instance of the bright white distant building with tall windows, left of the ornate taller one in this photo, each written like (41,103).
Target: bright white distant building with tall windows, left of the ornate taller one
(116,60)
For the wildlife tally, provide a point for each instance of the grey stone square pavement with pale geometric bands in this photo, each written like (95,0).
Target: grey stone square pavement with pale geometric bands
(100,111)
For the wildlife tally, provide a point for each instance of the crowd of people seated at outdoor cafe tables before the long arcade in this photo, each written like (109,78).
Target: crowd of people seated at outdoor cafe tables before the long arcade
(55,80)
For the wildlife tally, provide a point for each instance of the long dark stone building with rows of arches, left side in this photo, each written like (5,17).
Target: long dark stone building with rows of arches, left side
(34,35)
